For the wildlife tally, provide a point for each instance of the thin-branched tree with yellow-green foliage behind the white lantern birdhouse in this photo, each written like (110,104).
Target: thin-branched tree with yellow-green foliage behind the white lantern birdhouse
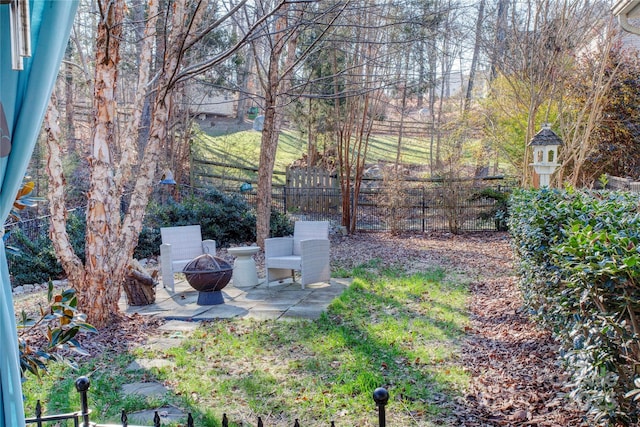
(542,42)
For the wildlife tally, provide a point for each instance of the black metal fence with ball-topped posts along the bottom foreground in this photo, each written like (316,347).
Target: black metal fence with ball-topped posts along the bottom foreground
(82,418)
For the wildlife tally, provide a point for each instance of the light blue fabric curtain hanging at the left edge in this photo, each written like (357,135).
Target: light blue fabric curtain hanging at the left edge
(24,96)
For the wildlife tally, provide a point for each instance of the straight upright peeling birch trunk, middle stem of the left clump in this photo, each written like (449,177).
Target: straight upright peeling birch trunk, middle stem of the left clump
(99,292)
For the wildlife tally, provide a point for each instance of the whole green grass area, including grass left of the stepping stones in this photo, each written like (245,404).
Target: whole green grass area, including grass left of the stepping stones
(390,328)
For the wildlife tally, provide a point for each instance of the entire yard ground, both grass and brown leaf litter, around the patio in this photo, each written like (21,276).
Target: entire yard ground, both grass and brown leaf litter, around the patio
(435,319)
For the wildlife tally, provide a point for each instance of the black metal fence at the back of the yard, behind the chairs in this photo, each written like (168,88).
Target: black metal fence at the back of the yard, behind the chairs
(447,208)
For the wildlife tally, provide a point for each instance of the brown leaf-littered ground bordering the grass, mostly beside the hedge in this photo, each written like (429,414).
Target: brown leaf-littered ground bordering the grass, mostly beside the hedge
(515,378)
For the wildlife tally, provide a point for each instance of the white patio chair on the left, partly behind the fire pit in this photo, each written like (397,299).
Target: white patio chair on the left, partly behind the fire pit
(180,245)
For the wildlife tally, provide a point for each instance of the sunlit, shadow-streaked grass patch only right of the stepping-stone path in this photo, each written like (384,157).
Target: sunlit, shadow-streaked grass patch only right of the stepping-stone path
(375,334)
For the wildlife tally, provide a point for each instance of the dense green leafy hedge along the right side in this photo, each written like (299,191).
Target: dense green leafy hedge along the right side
(579,259)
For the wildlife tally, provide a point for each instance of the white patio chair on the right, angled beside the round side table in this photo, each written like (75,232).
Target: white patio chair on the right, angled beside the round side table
(307,252)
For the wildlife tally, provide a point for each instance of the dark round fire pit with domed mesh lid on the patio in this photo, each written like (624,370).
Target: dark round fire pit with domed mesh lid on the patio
(208,275)
